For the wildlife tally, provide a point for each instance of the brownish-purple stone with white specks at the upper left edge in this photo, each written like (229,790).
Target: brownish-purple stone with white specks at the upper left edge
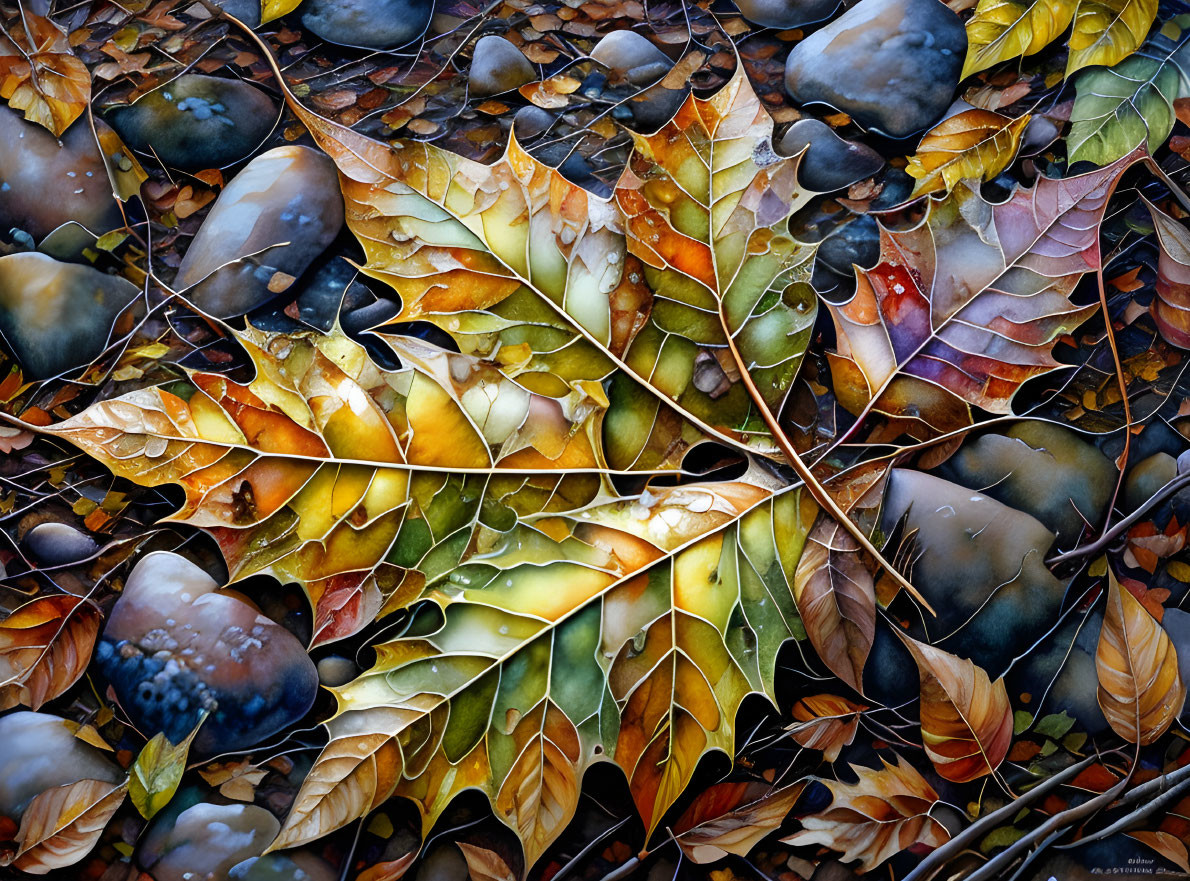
(46,183)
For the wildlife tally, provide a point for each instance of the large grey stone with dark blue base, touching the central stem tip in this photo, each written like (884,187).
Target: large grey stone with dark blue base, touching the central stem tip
(980,564)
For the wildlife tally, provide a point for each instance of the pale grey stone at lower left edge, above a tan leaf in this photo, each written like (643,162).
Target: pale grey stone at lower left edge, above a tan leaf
(40,752)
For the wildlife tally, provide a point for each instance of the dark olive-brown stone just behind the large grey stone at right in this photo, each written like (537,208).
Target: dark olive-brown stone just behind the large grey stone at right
(1043,470)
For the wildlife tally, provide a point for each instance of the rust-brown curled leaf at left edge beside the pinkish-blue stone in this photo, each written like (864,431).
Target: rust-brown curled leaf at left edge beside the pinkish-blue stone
(45,648)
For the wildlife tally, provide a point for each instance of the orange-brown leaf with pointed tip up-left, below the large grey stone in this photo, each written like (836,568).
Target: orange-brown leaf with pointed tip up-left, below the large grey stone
(967,722)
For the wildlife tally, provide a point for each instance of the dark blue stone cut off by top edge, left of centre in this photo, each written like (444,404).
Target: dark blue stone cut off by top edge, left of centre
(367,24)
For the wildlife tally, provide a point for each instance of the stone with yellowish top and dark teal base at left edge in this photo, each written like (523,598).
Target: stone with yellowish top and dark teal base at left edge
(58,316)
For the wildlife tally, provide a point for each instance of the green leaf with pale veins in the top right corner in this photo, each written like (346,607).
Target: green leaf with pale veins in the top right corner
(1131,104)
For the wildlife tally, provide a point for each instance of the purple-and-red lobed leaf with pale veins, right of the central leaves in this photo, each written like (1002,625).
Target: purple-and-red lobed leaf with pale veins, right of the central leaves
(972,301)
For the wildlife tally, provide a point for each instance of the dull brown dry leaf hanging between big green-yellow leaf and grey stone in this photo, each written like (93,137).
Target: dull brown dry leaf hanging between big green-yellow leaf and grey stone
(837,602)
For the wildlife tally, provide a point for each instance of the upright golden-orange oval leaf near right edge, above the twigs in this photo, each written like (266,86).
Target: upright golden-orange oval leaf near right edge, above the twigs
(1141,688)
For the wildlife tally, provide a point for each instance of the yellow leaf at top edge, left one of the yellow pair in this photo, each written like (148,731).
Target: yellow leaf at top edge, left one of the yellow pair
(1001,30)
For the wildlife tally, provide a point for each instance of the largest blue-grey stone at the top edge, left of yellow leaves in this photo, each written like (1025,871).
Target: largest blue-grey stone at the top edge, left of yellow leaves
(892,65)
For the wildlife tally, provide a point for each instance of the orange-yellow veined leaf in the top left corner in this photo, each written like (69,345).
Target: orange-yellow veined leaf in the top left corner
(41,76)
